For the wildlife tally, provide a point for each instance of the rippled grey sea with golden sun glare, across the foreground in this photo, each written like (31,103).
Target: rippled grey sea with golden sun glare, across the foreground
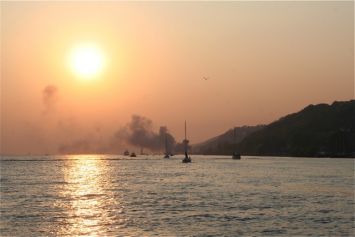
(100,195)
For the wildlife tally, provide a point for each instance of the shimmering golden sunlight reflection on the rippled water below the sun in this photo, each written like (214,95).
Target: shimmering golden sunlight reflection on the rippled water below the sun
(89,196)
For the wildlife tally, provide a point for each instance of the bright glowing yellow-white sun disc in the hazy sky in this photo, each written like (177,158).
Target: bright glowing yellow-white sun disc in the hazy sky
(86,60)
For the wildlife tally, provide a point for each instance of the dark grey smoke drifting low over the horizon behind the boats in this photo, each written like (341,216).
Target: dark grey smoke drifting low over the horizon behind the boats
(137,133)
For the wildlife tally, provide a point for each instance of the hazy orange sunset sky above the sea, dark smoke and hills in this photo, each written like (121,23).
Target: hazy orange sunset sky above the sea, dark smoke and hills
(215,64)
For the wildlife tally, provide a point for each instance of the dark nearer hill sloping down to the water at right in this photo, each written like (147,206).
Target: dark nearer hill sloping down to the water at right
(317,130)
